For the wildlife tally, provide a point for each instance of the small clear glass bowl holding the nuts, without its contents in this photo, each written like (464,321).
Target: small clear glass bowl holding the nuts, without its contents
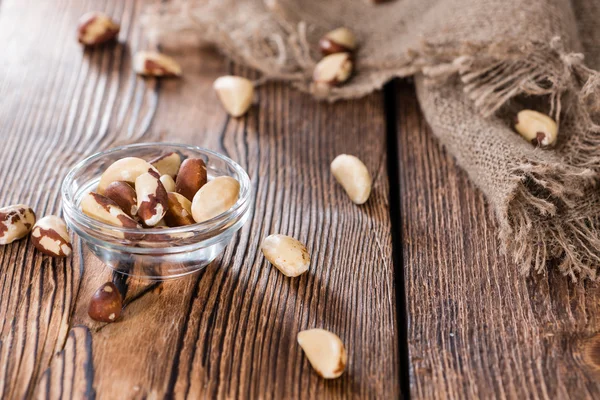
(156,253)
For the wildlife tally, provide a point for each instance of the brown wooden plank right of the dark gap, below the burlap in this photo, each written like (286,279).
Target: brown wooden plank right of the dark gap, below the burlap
(477,329)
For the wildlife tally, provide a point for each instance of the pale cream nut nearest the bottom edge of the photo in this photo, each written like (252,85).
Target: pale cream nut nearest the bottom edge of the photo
(325,352)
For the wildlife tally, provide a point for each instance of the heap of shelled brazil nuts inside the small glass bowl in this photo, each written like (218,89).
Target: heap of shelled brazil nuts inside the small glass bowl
(163,192)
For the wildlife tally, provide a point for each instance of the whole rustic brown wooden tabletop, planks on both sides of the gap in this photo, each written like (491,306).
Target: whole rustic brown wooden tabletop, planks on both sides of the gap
(413,282)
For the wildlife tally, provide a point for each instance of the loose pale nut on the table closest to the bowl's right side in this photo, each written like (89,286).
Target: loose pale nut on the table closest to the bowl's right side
(286,253)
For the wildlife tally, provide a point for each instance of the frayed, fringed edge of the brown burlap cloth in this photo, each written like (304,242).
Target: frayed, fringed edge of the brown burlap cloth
(492,74)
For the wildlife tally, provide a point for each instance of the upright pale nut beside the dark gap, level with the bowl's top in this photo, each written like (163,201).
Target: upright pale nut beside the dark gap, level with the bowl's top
(354,177)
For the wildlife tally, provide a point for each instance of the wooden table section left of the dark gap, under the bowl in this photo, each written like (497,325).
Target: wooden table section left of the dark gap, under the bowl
(230,331)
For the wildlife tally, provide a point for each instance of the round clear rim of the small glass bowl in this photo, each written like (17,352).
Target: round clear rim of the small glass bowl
(205,227)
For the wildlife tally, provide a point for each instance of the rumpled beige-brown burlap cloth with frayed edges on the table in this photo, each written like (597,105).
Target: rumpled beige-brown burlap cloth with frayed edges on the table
(476,63)
